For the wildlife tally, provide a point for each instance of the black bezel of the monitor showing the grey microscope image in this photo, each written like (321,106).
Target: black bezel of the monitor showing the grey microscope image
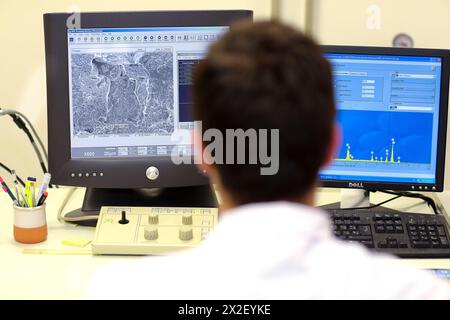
(126,172)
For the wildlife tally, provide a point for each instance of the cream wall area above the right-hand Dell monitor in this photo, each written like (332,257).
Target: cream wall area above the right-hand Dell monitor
(375,23)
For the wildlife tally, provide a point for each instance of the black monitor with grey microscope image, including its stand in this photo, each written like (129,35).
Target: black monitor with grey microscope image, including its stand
(118,91)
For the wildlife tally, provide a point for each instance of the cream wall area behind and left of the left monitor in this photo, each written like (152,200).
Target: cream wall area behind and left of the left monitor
(22,60)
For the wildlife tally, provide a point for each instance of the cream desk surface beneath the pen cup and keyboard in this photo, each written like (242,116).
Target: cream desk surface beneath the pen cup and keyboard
(64,276)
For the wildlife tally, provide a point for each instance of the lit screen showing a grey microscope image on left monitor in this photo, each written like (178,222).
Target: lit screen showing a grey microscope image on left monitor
(129,89)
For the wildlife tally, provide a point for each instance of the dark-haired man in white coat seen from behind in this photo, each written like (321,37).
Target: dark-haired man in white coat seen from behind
(270,242)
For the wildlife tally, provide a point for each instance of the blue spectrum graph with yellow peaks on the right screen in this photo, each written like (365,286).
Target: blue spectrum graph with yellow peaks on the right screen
(385,137)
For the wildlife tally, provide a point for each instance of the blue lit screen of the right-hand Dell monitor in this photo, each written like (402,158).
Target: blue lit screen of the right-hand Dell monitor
(388,111)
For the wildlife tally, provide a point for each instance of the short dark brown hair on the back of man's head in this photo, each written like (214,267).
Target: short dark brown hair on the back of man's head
(268,76)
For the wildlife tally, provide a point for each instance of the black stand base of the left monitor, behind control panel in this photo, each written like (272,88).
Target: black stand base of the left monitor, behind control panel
(94,199)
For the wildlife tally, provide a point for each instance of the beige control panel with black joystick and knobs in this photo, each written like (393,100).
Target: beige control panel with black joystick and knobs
(151,231)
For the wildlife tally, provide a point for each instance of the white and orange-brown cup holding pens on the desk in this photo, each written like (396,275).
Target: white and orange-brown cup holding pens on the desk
(30,224)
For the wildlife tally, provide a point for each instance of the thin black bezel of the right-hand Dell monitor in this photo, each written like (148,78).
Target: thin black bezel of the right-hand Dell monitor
(438,186)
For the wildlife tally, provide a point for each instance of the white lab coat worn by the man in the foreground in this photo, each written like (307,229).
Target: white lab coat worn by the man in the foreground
(276,250)
